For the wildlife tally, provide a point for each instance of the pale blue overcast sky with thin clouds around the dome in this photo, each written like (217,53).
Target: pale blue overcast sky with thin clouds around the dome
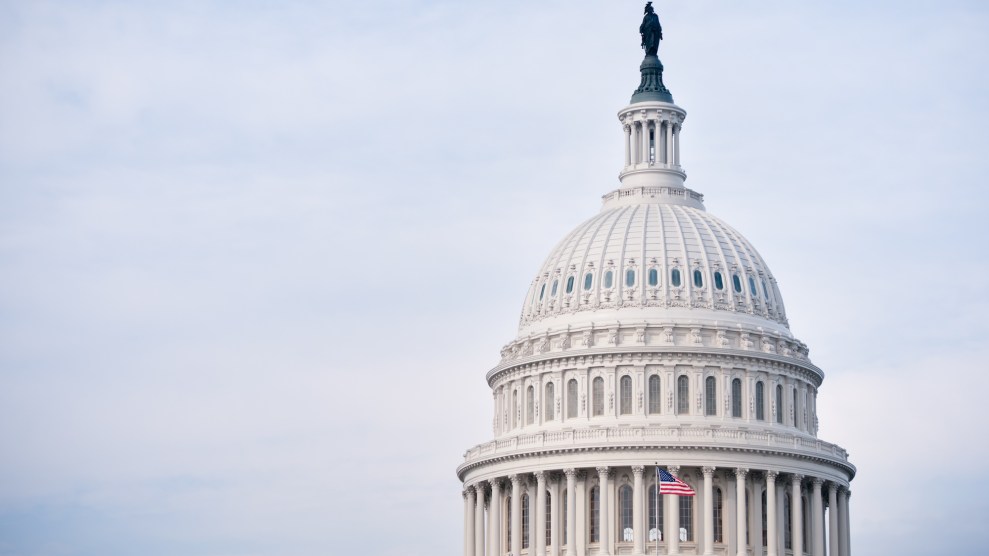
(256,257)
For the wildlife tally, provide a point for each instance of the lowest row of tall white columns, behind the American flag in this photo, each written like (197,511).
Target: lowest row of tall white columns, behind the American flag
(487,533)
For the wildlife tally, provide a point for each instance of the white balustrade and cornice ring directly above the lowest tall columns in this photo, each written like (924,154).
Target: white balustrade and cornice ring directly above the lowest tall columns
(698,436)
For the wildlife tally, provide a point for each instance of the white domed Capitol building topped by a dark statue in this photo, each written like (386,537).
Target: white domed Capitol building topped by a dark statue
(654,336)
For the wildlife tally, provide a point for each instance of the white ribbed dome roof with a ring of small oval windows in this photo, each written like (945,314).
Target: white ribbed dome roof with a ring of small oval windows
(654,256)
